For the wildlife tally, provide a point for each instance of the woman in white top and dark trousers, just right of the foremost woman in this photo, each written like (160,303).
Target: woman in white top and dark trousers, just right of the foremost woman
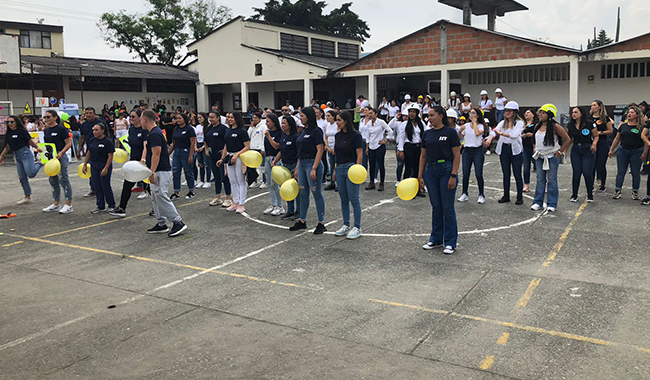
(473,134)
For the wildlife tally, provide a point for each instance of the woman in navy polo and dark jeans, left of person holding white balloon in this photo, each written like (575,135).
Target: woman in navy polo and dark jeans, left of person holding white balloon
(100,156)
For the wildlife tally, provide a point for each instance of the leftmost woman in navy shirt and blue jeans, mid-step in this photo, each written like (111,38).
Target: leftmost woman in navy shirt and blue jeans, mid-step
(19,141)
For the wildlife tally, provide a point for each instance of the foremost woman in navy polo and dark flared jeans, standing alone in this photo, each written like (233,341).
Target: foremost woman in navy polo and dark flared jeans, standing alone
(439,162)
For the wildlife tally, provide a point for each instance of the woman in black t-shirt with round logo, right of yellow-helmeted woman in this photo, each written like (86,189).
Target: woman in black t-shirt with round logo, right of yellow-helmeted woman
(583,153)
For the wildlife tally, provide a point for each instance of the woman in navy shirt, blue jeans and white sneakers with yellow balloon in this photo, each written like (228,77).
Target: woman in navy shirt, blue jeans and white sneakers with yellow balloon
(348,150)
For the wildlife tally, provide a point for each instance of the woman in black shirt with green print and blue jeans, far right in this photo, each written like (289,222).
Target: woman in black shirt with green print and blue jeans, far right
(634,149)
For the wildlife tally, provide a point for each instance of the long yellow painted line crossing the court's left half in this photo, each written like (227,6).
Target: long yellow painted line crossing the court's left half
(156,261)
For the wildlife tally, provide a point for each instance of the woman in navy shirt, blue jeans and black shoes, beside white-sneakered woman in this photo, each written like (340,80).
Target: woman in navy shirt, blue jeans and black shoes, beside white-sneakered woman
(310,170)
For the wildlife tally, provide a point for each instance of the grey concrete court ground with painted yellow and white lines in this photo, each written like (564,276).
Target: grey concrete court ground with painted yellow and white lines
(527,295)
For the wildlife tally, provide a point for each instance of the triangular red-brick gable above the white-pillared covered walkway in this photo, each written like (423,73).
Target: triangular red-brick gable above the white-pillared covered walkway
(464,44)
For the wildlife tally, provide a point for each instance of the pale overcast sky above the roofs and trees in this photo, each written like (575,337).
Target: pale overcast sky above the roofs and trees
(568,23)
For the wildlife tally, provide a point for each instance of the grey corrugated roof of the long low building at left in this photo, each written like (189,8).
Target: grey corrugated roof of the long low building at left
(104,68)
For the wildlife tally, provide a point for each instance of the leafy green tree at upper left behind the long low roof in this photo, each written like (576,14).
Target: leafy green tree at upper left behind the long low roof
(159,34)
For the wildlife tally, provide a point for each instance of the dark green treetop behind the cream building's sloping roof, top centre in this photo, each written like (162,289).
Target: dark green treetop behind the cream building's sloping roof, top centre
(310,14)
